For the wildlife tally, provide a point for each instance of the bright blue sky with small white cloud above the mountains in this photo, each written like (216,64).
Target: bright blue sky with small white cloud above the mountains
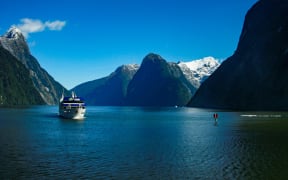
(81,40)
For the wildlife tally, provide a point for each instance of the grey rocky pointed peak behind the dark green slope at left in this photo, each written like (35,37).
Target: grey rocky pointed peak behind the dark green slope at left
(15,43)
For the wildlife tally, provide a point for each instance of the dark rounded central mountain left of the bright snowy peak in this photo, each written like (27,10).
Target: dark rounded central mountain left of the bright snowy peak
(159,83)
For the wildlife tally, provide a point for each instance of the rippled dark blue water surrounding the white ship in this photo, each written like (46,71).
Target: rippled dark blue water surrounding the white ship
(143,143)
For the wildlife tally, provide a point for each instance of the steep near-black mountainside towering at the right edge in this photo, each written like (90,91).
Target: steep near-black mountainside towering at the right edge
(255,77)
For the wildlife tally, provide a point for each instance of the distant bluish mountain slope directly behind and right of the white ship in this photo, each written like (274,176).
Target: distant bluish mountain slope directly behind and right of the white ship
(110,90)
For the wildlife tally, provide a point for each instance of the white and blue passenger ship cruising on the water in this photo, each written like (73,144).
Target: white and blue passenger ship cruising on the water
(72,107)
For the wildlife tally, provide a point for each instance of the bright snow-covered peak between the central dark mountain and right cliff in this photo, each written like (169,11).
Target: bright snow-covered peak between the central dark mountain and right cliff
(197,71)
